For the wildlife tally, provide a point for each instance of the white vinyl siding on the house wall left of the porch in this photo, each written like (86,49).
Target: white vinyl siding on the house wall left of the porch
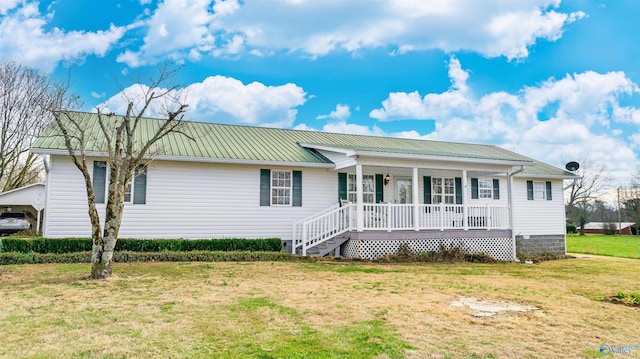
(188,200)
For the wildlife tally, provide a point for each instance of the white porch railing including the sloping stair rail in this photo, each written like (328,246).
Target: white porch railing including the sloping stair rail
(394,217)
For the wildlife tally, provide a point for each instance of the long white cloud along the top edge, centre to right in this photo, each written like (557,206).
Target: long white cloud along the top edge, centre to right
(196,28)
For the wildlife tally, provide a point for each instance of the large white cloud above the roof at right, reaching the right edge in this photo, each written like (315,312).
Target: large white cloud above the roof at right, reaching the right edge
(577,114)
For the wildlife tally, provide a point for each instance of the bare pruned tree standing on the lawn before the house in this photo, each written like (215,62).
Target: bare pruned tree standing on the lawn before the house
(126,149)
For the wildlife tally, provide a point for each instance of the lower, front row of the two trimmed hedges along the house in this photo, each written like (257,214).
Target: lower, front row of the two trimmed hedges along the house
(127,257)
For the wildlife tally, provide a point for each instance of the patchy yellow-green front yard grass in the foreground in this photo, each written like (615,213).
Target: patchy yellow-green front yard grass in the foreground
(316,310)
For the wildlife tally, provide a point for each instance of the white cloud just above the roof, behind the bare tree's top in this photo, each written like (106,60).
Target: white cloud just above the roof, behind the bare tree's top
(227,100)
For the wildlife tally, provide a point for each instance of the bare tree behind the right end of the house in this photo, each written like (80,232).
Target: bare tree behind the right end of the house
(581,192)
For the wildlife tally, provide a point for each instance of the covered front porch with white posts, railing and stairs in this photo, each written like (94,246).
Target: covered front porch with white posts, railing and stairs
(382,206)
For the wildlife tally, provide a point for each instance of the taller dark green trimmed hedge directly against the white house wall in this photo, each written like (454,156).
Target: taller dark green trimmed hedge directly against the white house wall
(73,245)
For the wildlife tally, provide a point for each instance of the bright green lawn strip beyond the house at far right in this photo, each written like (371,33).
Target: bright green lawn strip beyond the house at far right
(615,246)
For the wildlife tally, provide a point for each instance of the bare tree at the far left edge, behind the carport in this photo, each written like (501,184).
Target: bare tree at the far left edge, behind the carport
(26,100)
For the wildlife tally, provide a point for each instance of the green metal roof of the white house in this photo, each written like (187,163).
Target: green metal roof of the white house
(233,142)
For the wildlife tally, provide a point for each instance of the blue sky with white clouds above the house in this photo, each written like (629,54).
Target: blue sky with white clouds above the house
(552,80)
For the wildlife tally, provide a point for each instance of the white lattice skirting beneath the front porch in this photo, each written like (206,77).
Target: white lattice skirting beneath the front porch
(500,248)
